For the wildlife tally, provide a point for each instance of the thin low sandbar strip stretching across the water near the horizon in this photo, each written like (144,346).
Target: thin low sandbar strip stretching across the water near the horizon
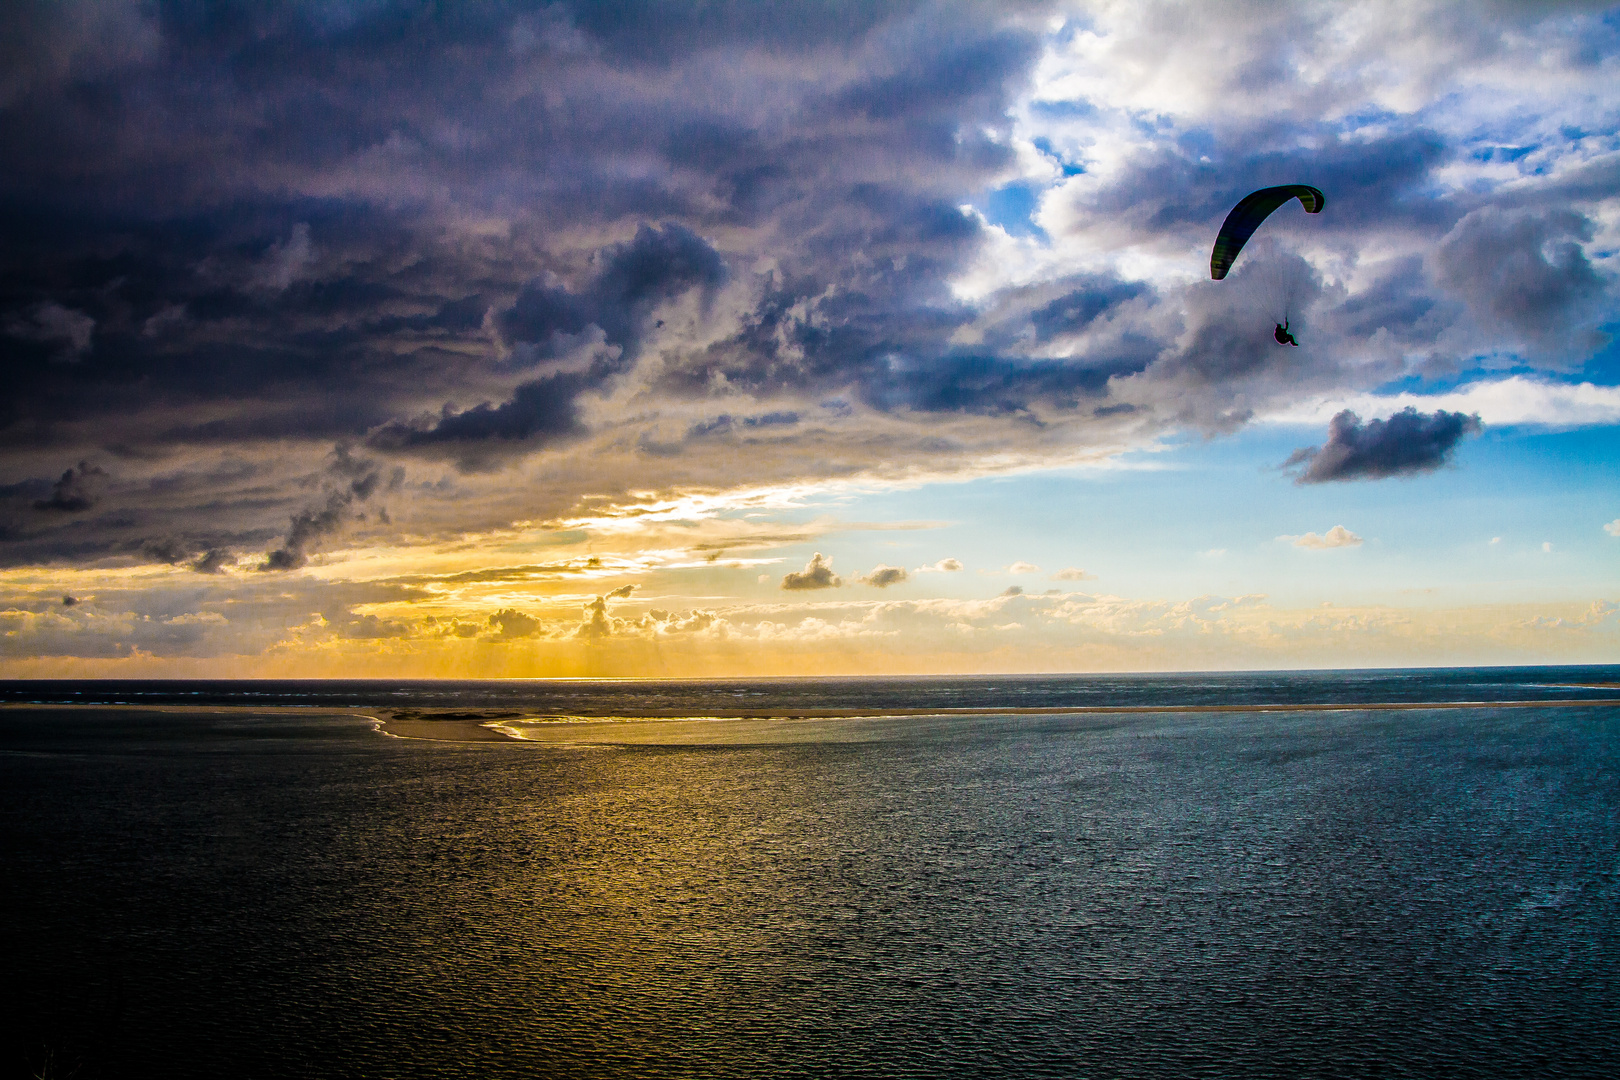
(493,726)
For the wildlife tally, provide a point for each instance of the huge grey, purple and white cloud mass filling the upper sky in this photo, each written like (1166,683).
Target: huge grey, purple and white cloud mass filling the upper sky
(684,252)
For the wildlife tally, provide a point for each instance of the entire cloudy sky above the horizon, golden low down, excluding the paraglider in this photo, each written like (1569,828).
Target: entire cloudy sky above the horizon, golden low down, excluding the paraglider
(652,339)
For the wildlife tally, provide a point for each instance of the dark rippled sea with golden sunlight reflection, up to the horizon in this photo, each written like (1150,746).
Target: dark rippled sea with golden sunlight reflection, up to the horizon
(1214,875)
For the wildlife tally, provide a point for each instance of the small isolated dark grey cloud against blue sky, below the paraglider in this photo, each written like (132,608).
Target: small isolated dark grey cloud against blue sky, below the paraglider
(1407,444)
